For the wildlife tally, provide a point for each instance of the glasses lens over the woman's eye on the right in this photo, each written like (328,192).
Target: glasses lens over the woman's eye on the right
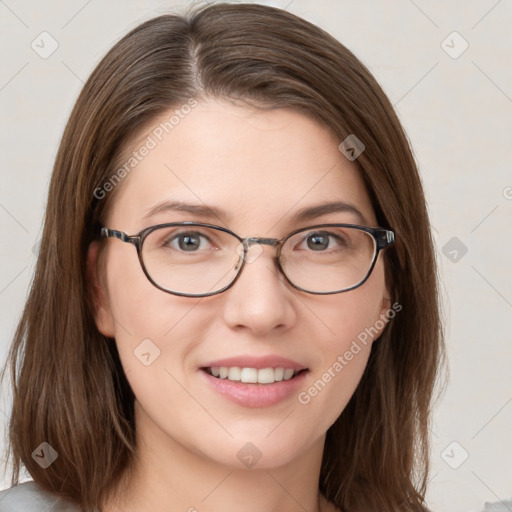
(328,259)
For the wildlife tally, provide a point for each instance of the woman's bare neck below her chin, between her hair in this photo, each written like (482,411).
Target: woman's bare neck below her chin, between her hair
(167,476)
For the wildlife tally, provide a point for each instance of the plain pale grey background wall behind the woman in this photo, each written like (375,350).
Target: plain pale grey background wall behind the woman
(446,66)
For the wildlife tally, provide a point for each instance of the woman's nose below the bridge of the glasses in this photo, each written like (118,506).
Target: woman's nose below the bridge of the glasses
(260,300)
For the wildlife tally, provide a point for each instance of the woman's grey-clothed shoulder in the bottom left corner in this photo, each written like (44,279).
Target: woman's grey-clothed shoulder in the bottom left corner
(29,497)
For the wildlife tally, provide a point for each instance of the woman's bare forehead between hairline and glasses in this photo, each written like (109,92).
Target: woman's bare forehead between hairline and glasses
(259,166)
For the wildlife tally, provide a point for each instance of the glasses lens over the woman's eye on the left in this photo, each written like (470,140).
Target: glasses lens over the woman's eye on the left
(191,259)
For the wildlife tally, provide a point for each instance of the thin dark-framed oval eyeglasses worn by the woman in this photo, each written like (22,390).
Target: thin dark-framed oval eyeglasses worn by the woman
(198,260)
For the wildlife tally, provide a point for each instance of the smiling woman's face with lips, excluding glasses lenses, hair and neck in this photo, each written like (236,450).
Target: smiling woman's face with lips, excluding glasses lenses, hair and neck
(261,168)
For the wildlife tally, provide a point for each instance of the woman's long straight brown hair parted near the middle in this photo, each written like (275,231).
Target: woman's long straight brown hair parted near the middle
(377,452)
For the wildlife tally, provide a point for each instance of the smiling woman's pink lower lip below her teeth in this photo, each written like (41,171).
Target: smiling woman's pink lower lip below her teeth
(255,395)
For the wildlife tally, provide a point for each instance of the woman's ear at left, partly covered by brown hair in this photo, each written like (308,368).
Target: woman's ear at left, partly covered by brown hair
(102,316)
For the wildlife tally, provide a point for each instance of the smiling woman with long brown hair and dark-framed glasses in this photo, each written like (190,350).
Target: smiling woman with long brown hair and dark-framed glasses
(273,339)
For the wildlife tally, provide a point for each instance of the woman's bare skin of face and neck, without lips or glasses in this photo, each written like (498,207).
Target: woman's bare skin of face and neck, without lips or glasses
(261,167)
